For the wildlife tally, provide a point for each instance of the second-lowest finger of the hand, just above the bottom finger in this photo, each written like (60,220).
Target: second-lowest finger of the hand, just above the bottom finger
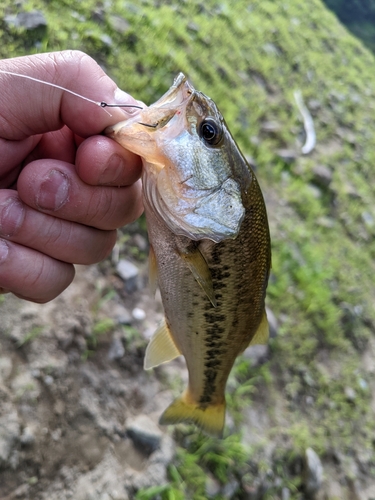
(58,238)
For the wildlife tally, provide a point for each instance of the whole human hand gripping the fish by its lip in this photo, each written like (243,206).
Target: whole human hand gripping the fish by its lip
(64,189)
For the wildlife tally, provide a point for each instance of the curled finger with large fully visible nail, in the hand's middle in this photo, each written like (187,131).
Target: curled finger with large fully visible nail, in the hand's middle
(53,187)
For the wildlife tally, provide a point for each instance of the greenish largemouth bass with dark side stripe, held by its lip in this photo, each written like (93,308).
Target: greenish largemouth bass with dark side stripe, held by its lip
(210,248)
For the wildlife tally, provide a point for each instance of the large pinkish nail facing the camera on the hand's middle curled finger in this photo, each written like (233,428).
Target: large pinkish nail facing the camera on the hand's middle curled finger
(53,192)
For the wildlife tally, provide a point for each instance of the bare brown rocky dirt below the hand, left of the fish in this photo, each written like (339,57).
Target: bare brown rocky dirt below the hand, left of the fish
(78,413)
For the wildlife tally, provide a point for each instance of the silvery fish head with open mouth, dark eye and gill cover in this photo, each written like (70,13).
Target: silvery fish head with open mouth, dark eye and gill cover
(194,175)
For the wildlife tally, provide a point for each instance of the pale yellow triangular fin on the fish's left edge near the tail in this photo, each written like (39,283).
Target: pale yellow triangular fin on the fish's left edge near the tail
(161,348)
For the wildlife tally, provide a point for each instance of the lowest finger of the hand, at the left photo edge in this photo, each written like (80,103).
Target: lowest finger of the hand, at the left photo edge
(32,275)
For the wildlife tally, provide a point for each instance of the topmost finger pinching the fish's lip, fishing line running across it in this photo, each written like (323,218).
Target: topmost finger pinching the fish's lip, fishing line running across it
(29,107)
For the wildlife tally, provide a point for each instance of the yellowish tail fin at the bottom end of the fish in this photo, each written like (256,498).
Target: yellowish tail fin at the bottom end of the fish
(210,419)
